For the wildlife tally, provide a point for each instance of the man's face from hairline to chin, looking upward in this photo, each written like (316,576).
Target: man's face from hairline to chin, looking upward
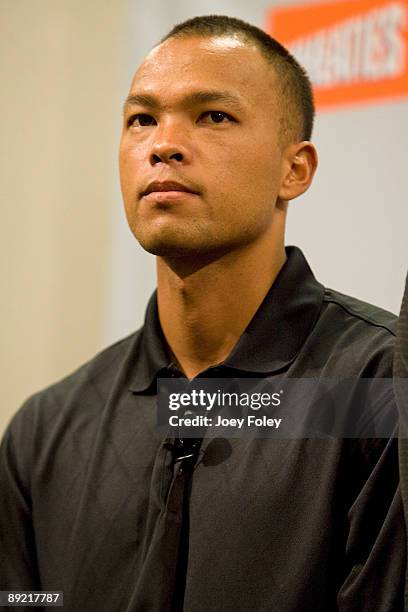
(201,113)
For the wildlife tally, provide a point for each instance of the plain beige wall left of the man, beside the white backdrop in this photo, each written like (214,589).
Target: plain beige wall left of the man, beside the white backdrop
(60,69)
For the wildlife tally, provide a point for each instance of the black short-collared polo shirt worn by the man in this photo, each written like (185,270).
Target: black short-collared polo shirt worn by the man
(90,503)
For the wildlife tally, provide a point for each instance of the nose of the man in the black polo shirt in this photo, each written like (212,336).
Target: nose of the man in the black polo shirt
(170,147)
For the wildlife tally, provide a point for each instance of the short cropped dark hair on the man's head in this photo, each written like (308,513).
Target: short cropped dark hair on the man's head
(294,96)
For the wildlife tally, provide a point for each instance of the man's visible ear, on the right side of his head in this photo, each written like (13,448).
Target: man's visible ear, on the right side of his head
(299,165)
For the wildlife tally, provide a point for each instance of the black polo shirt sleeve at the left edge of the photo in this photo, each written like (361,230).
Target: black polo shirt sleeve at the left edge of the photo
(18,563)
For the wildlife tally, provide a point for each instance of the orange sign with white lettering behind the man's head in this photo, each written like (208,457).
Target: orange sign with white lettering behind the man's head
(355,51)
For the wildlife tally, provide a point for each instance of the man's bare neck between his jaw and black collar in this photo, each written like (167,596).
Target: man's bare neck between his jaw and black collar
(205,306)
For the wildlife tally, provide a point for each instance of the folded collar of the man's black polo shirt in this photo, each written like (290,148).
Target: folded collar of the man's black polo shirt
(270,342)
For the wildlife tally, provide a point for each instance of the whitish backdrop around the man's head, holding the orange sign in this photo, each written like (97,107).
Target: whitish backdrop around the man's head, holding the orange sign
(353,222)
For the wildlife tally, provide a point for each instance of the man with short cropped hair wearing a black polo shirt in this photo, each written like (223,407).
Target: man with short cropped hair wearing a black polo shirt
(215,143)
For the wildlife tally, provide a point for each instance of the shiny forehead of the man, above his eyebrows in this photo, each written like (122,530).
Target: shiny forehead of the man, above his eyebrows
(222,62)
